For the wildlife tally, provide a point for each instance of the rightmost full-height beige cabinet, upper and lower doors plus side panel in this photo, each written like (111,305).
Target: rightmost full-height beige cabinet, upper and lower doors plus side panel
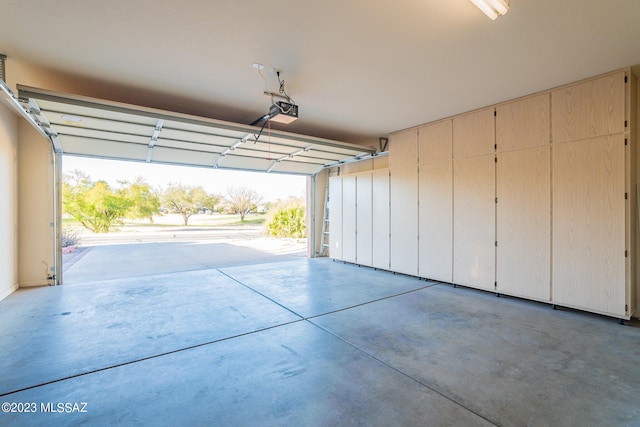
(594,205)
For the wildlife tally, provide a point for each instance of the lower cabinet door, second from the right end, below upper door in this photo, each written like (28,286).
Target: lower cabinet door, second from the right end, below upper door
(523,223)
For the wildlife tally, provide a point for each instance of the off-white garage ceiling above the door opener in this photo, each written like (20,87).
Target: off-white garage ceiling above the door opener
(358,69)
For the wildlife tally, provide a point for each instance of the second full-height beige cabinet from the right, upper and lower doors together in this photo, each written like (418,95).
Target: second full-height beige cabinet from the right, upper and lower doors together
(523,203)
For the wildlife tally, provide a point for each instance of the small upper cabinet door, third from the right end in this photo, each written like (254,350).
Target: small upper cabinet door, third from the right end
(474,133)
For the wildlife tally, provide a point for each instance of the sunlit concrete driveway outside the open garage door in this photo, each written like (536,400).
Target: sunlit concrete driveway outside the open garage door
(121,255)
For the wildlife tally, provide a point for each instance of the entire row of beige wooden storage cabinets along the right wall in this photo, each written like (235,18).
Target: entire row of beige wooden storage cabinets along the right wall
(536,198)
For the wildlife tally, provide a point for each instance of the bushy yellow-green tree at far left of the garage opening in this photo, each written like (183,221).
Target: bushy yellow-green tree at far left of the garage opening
(94,204)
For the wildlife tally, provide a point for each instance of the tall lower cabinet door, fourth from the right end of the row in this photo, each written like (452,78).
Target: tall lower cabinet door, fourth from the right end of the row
(436,221)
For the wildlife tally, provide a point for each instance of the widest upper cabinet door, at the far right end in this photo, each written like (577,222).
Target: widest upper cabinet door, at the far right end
(592,108)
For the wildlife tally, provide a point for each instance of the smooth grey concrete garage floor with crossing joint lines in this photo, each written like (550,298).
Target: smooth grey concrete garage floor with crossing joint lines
(309,342)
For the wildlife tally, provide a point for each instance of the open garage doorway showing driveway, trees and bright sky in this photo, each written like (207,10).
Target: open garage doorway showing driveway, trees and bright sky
(220,218)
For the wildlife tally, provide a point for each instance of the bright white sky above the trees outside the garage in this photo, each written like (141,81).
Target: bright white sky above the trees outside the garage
(271,186)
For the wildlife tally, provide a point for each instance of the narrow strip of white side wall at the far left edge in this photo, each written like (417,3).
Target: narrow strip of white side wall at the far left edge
(8,201)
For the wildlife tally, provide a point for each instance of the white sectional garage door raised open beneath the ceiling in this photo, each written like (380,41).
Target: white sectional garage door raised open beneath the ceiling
(92,127)
